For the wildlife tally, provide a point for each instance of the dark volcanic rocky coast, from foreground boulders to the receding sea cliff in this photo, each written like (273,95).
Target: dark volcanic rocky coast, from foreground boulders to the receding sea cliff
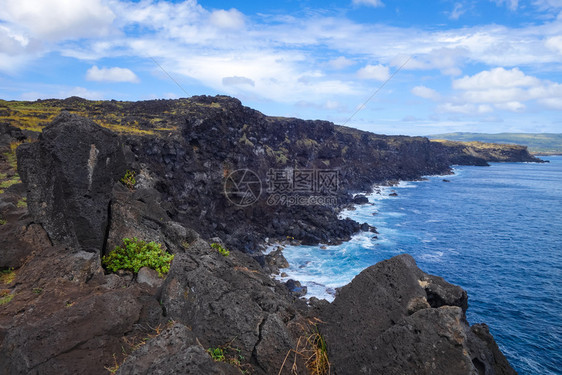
(213,313)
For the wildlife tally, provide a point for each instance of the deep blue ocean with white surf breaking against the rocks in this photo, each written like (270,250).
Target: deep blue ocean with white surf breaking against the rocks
(496,231)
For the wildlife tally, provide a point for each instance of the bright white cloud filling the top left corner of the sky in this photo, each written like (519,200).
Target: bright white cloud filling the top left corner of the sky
(58,19)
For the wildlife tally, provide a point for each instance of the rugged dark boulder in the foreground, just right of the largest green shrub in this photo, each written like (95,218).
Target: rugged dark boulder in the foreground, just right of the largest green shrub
(228,300)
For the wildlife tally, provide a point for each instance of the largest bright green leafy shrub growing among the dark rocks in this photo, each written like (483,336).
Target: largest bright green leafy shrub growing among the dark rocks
(134,254)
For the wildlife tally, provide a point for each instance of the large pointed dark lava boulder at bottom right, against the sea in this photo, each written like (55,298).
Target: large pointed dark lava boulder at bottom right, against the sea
(395,319)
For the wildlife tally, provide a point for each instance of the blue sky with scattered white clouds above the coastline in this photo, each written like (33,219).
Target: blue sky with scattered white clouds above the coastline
(394,67)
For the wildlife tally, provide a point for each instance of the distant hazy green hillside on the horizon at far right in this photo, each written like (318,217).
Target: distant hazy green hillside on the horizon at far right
(543,143)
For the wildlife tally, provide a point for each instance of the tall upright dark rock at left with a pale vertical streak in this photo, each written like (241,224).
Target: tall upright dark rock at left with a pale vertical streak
(70,173)
